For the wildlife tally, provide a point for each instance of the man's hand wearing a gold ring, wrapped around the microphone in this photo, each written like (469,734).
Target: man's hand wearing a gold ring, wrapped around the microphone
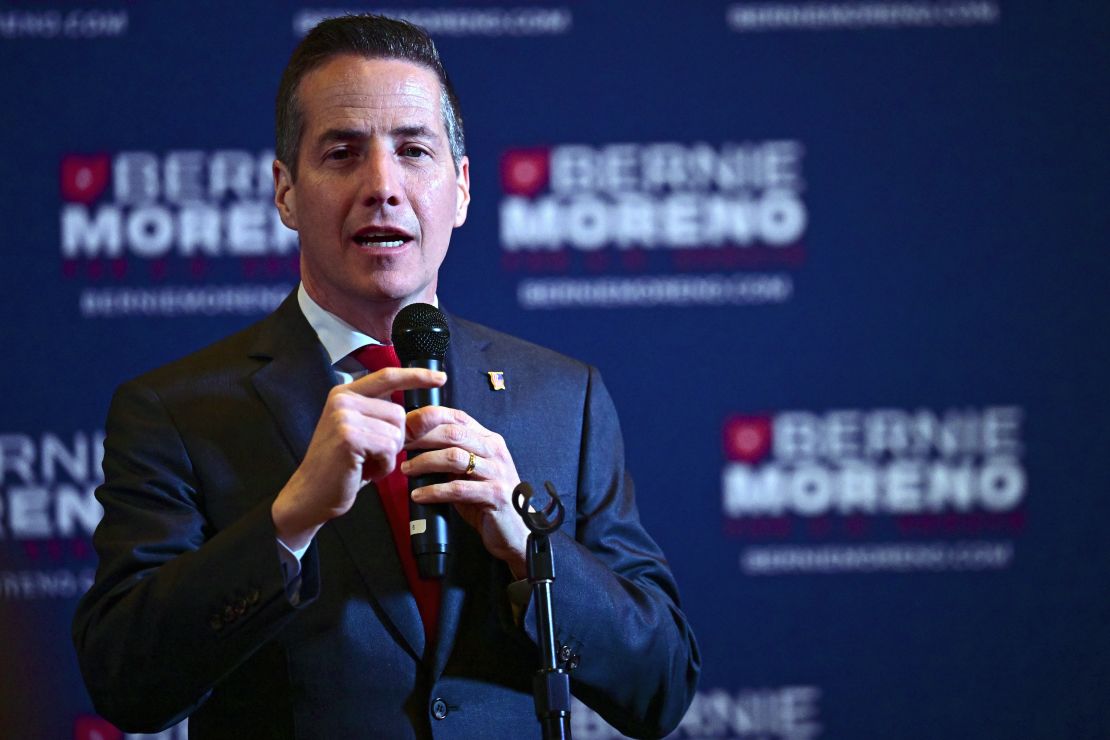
(485,498)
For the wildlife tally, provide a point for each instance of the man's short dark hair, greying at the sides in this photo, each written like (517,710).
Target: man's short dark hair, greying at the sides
(371,37)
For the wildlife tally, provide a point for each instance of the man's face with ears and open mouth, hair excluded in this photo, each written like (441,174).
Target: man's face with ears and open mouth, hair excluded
(378,194)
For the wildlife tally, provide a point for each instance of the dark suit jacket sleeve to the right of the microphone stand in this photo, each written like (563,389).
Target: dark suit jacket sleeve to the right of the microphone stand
(615,602)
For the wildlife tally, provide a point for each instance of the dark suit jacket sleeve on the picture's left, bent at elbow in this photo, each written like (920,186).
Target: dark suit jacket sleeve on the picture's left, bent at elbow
(176,605)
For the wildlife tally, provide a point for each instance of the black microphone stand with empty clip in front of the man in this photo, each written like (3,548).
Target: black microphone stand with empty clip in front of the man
(551,685)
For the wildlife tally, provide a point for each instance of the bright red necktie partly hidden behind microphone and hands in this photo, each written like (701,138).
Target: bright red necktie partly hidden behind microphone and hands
(395,493)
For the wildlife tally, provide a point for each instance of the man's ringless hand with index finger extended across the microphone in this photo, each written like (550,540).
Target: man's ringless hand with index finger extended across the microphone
(357,441)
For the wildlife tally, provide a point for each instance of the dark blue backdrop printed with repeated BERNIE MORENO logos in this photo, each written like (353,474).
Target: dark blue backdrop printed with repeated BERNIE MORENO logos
(843,266)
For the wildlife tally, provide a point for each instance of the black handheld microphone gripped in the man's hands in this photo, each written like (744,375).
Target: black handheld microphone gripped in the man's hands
(420,338)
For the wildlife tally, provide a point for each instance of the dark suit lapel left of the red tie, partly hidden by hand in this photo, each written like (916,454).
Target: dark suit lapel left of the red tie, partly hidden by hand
(295,386)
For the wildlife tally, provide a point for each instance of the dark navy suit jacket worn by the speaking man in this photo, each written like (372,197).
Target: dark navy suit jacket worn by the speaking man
(189,615)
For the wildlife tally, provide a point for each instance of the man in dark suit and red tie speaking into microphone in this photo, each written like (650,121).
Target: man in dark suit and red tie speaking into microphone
(251,576)
